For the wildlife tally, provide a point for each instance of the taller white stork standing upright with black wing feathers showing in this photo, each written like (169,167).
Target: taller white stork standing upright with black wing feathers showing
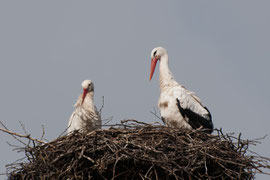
(179,107)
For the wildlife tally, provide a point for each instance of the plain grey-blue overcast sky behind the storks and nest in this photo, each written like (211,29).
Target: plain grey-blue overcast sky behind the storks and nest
(218,49)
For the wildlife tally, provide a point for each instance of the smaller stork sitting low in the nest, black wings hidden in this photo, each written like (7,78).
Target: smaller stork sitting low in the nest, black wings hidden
(85,117)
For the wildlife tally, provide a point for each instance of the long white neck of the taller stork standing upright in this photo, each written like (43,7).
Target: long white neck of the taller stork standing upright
(165,76)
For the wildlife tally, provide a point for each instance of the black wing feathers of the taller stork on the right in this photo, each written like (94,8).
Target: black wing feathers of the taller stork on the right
(195,120)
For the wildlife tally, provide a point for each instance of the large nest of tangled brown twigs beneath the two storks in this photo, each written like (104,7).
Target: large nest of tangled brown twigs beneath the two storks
(134,150)
